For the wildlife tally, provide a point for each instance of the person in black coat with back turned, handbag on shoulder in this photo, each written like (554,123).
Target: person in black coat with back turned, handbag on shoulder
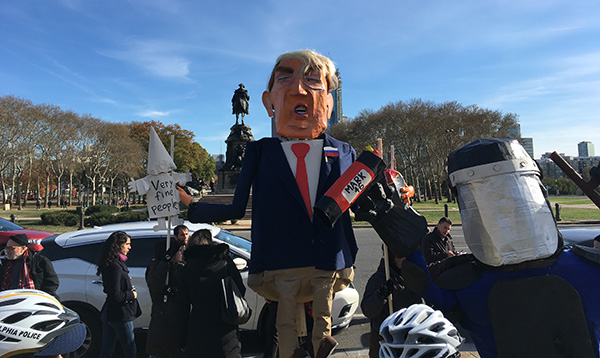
(206,264)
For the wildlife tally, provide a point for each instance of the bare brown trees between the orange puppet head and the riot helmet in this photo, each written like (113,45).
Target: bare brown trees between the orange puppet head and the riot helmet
(423,133)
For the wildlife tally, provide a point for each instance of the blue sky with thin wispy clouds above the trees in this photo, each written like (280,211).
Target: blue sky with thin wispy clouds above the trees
(180,61)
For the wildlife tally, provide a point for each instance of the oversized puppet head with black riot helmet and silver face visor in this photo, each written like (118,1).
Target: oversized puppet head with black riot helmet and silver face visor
(505,213)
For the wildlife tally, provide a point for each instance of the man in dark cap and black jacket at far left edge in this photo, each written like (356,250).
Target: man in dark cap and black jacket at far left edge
(24,268)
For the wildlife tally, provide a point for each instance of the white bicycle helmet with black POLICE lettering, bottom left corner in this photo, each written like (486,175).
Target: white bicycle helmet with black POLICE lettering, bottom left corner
(30,320)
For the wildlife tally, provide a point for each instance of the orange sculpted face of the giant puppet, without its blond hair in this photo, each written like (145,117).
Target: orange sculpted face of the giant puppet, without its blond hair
(300,101)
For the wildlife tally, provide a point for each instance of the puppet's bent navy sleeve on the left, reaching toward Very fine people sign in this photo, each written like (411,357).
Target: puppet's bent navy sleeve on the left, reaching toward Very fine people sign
(206,212)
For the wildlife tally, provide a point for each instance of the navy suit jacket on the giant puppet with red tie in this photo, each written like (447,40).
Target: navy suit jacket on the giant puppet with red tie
(283,236)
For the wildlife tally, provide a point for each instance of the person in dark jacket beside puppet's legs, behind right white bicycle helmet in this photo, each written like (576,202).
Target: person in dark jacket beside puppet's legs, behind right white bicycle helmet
(375,305)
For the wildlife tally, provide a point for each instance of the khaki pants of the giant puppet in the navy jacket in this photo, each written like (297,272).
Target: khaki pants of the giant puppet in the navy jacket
(292,288)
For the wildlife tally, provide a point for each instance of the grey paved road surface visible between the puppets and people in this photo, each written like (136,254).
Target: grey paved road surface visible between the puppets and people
(353,340)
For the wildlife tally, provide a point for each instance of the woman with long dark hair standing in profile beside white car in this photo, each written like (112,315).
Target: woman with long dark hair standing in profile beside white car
(121,306)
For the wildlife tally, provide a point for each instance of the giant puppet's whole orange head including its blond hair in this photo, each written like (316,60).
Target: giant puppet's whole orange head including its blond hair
(298,94)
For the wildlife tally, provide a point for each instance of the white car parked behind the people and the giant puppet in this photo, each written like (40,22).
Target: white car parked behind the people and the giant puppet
(74,256)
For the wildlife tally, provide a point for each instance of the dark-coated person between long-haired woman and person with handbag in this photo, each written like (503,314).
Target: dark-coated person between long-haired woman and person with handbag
(162,341)
